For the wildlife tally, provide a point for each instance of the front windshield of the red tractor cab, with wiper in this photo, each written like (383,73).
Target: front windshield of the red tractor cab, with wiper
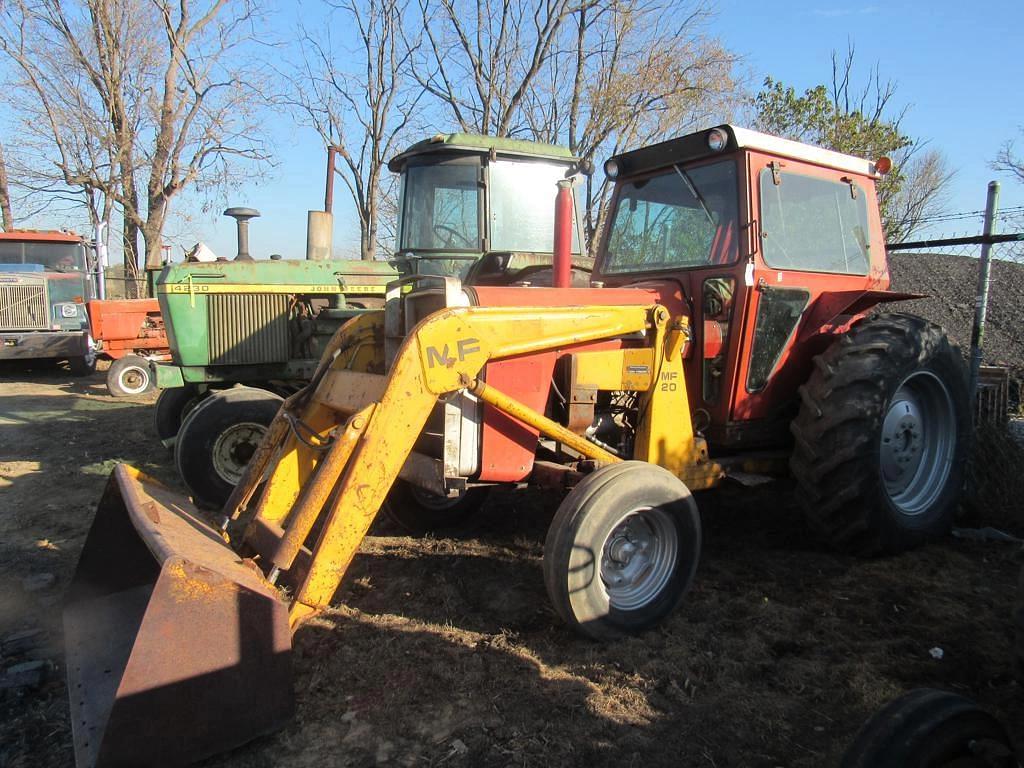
(680,218)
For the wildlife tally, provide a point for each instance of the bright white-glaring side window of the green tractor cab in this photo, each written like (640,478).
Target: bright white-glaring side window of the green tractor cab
(523,206)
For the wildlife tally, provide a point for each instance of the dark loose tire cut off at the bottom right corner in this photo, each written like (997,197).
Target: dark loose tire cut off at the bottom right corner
(928,729)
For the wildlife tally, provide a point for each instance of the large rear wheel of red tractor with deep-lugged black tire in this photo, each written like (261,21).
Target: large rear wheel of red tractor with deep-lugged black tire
(882,437)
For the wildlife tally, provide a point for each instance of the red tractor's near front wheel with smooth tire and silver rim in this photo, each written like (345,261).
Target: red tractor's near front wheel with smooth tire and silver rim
(622,550)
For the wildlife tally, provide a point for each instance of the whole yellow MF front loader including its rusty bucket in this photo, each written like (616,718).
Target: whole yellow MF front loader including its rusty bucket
(166,623)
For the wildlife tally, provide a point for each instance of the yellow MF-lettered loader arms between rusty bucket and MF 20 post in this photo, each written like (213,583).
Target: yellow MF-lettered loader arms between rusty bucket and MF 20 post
(364,428)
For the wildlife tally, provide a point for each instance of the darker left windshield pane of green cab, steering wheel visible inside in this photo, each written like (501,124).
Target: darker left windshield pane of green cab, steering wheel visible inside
(442,208)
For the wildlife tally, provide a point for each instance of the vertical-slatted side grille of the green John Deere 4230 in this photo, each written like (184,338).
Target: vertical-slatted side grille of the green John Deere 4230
(248,329)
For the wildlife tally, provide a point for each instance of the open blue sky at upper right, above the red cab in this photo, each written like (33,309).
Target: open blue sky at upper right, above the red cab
(957,65)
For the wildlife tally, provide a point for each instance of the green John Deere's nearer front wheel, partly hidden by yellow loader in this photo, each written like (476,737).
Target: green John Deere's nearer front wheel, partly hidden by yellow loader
(219,439)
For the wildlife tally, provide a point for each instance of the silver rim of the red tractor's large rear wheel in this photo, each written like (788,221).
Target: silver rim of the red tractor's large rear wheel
(918,445)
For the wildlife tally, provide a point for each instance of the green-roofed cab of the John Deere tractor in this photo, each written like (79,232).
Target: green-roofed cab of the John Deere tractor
(482,209)
